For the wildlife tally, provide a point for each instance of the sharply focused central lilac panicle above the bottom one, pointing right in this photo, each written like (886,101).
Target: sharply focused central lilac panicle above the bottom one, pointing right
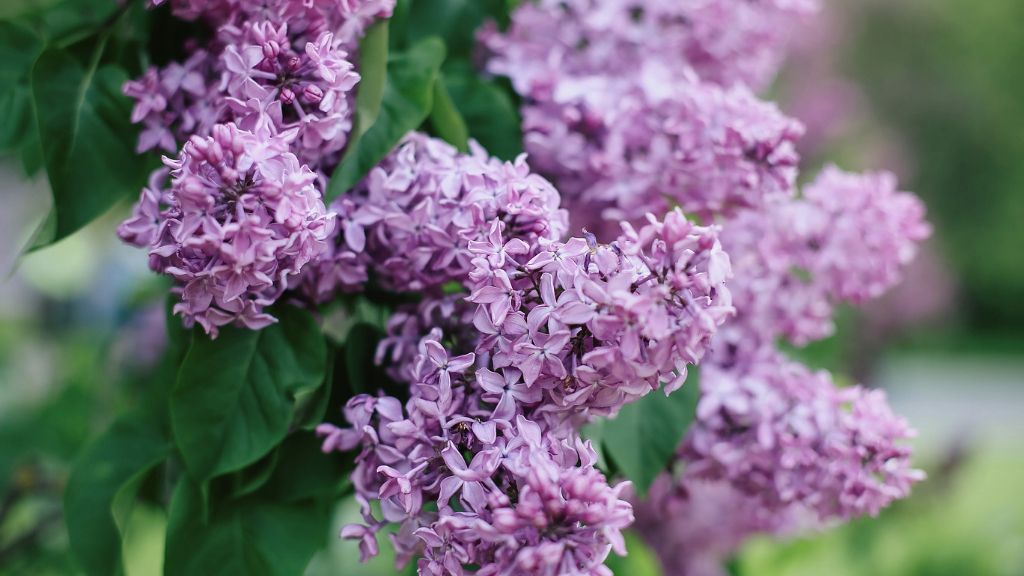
(595,326)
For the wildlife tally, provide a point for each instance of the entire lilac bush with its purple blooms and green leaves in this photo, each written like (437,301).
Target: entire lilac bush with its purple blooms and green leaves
(638,272)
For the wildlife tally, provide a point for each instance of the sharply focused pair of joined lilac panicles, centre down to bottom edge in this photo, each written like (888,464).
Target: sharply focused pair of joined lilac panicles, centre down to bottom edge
(564,333)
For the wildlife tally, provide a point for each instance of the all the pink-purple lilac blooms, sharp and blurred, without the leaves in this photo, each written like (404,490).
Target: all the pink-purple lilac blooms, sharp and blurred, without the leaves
(634,108)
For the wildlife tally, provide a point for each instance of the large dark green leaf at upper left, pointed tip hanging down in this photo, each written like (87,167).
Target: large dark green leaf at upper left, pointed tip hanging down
(87,137)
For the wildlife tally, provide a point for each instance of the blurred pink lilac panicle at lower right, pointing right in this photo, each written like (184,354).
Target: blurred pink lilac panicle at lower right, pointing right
(785,435)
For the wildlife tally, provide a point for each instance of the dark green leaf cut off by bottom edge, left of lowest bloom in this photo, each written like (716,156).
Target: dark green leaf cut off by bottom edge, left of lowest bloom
(247,538)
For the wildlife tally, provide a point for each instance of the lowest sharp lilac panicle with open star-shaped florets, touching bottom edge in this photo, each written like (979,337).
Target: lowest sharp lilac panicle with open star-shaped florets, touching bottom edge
(475,487)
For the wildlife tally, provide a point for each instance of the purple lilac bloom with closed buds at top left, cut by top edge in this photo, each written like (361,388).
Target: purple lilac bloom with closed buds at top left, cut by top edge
(284,63)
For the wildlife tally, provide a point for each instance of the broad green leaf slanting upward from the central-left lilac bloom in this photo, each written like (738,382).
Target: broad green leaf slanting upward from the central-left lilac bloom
(407,103)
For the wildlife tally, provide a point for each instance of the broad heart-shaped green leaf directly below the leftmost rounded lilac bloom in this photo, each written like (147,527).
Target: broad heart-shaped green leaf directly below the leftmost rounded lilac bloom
(235,397)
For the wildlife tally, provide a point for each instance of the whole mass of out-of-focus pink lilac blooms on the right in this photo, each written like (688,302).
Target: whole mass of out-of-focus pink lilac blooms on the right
(638,107)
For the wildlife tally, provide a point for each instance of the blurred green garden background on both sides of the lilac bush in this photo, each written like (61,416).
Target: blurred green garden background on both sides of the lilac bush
(931,90)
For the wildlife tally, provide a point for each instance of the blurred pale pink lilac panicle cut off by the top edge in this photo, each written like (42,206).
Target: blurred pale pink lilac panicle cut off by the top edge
(728,43)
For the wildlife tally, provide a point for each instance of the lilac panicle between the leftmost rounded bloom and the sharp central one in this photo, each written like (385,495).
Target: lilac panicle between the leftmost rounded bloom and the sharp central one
(411,223)
